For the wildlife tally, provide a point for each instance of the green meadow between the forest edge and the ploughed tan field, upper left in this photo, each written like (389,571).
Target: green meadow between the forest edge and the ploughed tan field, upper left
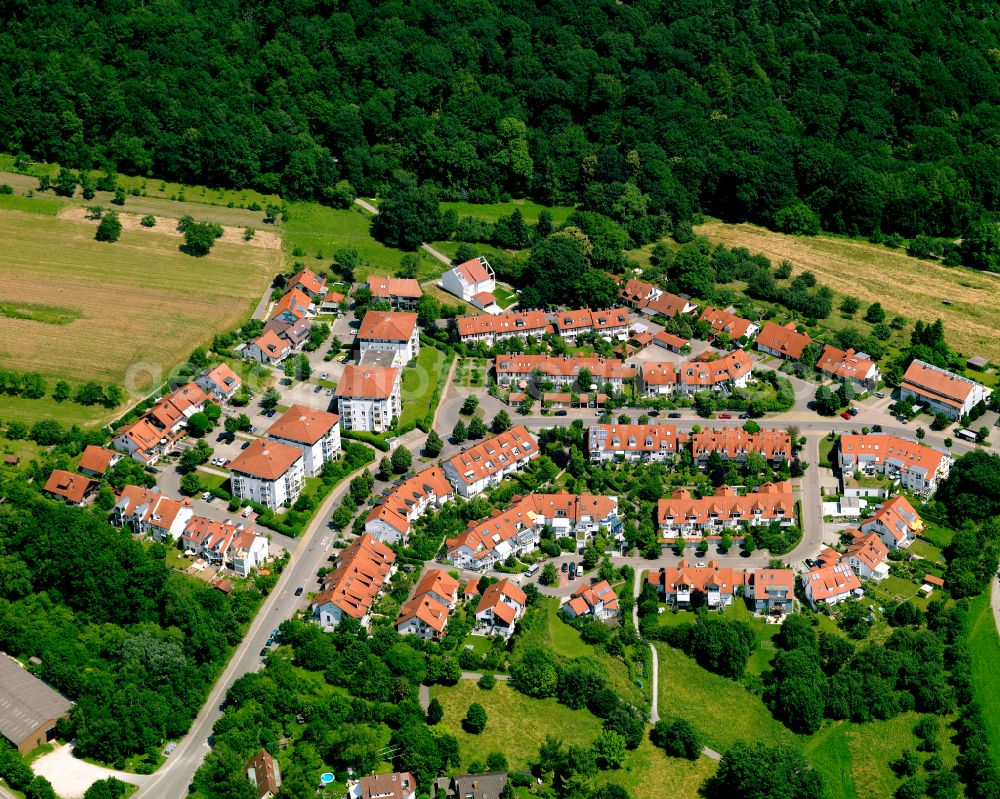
(319,231)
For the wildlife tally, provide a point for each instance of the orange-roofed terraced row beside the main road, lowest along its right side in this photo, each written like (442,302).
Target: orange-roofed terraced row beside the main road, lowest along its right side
(360,573)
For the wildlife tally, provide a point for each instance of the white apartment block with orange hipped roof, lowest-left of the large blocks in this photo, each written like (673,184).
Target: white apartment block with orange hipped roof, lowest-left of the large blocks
(269,473)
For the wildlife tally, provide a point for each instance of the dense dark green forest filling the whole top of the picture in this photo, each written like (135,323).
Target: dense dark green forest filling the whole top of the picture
(881,115)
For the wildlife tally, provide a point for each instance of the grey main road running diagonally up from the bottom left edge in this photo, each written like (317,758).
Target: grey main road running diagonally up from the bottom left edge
(174,777)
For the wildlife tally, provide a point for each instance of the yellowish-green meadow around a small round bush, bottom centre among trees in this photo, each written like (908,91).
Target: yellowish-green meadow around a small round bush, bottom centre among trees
(507,730)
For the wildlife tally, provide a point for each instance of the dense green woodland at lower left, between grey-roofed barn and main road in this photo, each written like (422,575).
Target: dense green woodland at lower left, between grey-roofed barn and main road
(134,646)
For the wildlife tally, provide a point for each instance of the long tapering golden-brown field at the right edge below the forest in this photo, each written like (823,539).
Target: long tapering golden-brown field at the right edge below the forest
(904,285)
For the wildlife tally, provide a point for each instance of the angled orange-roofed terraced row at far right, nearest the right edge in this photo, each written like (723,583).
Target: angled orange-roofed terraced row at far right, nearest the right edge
(917,467)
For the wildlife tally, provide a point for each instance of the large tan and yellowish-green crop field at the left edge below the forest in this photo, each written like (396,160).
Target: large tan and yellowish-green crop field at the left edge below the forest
(78,309)
